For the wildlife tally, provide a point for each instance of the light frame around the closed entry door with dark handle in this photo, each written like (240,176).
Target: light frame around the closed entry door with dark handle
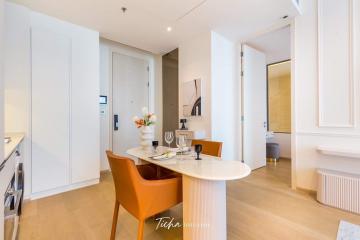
(136,54)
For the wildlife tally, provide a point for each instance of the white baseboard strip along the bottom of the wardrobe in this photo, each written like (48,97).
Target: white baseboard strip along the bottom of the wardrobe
(67,188)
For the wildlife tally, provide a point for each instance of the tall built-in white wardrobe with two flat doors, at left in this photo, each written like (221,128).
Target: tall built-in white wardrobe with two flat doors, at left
(63,90)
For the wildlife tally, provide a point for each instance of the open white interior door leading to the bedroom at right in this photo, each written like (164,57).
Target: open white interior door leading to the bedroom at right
(254,107)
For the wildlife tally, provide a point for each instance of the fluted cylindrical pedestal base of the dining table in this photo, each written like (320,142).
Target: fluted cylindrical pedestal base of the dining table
(204,209)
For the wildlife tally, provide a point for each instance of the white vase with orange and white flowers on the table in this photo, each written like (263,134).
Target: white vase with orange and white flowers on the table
(146,124)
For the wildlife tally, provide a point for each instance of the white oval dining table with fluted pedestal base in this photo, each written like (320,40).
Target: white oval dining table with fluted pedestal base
(204,190)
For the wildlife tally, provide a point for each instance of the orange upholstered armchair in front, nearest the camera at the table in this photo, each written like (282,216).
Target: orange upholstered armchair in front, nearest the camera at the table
(138,191)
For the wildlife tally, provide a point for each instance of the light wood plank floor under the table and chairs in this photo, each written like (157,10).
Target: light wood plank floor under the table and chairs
(262,206)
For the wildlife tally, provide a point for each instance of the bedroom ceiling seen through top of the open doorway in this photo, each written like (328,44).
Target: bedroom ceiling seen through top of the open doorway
(276,45)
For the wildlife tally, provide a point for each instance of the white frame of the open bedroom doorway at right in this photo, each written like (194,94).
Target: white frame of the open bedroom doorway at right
(291,24)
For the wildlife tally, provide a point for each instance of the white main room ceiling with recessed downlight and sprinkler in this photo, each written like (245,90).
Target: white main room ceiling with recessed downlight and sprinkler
(145,22)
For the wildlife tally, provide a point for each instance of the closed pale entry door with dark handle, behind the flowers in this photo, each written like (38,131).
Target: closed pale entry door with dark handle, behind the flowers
(130,83)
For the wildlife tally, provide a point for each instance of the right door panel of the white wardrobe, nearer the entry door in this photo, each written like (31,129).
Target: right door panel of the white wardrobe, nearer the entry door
(85,132)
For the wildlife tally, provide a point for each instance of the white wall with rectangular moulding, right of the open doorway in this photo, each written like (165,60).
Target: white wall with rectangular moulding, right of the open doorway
(326,97)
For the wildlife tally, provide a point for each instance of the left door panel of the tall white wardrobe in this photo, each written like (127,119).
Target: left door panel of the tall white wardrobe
(50,109)
